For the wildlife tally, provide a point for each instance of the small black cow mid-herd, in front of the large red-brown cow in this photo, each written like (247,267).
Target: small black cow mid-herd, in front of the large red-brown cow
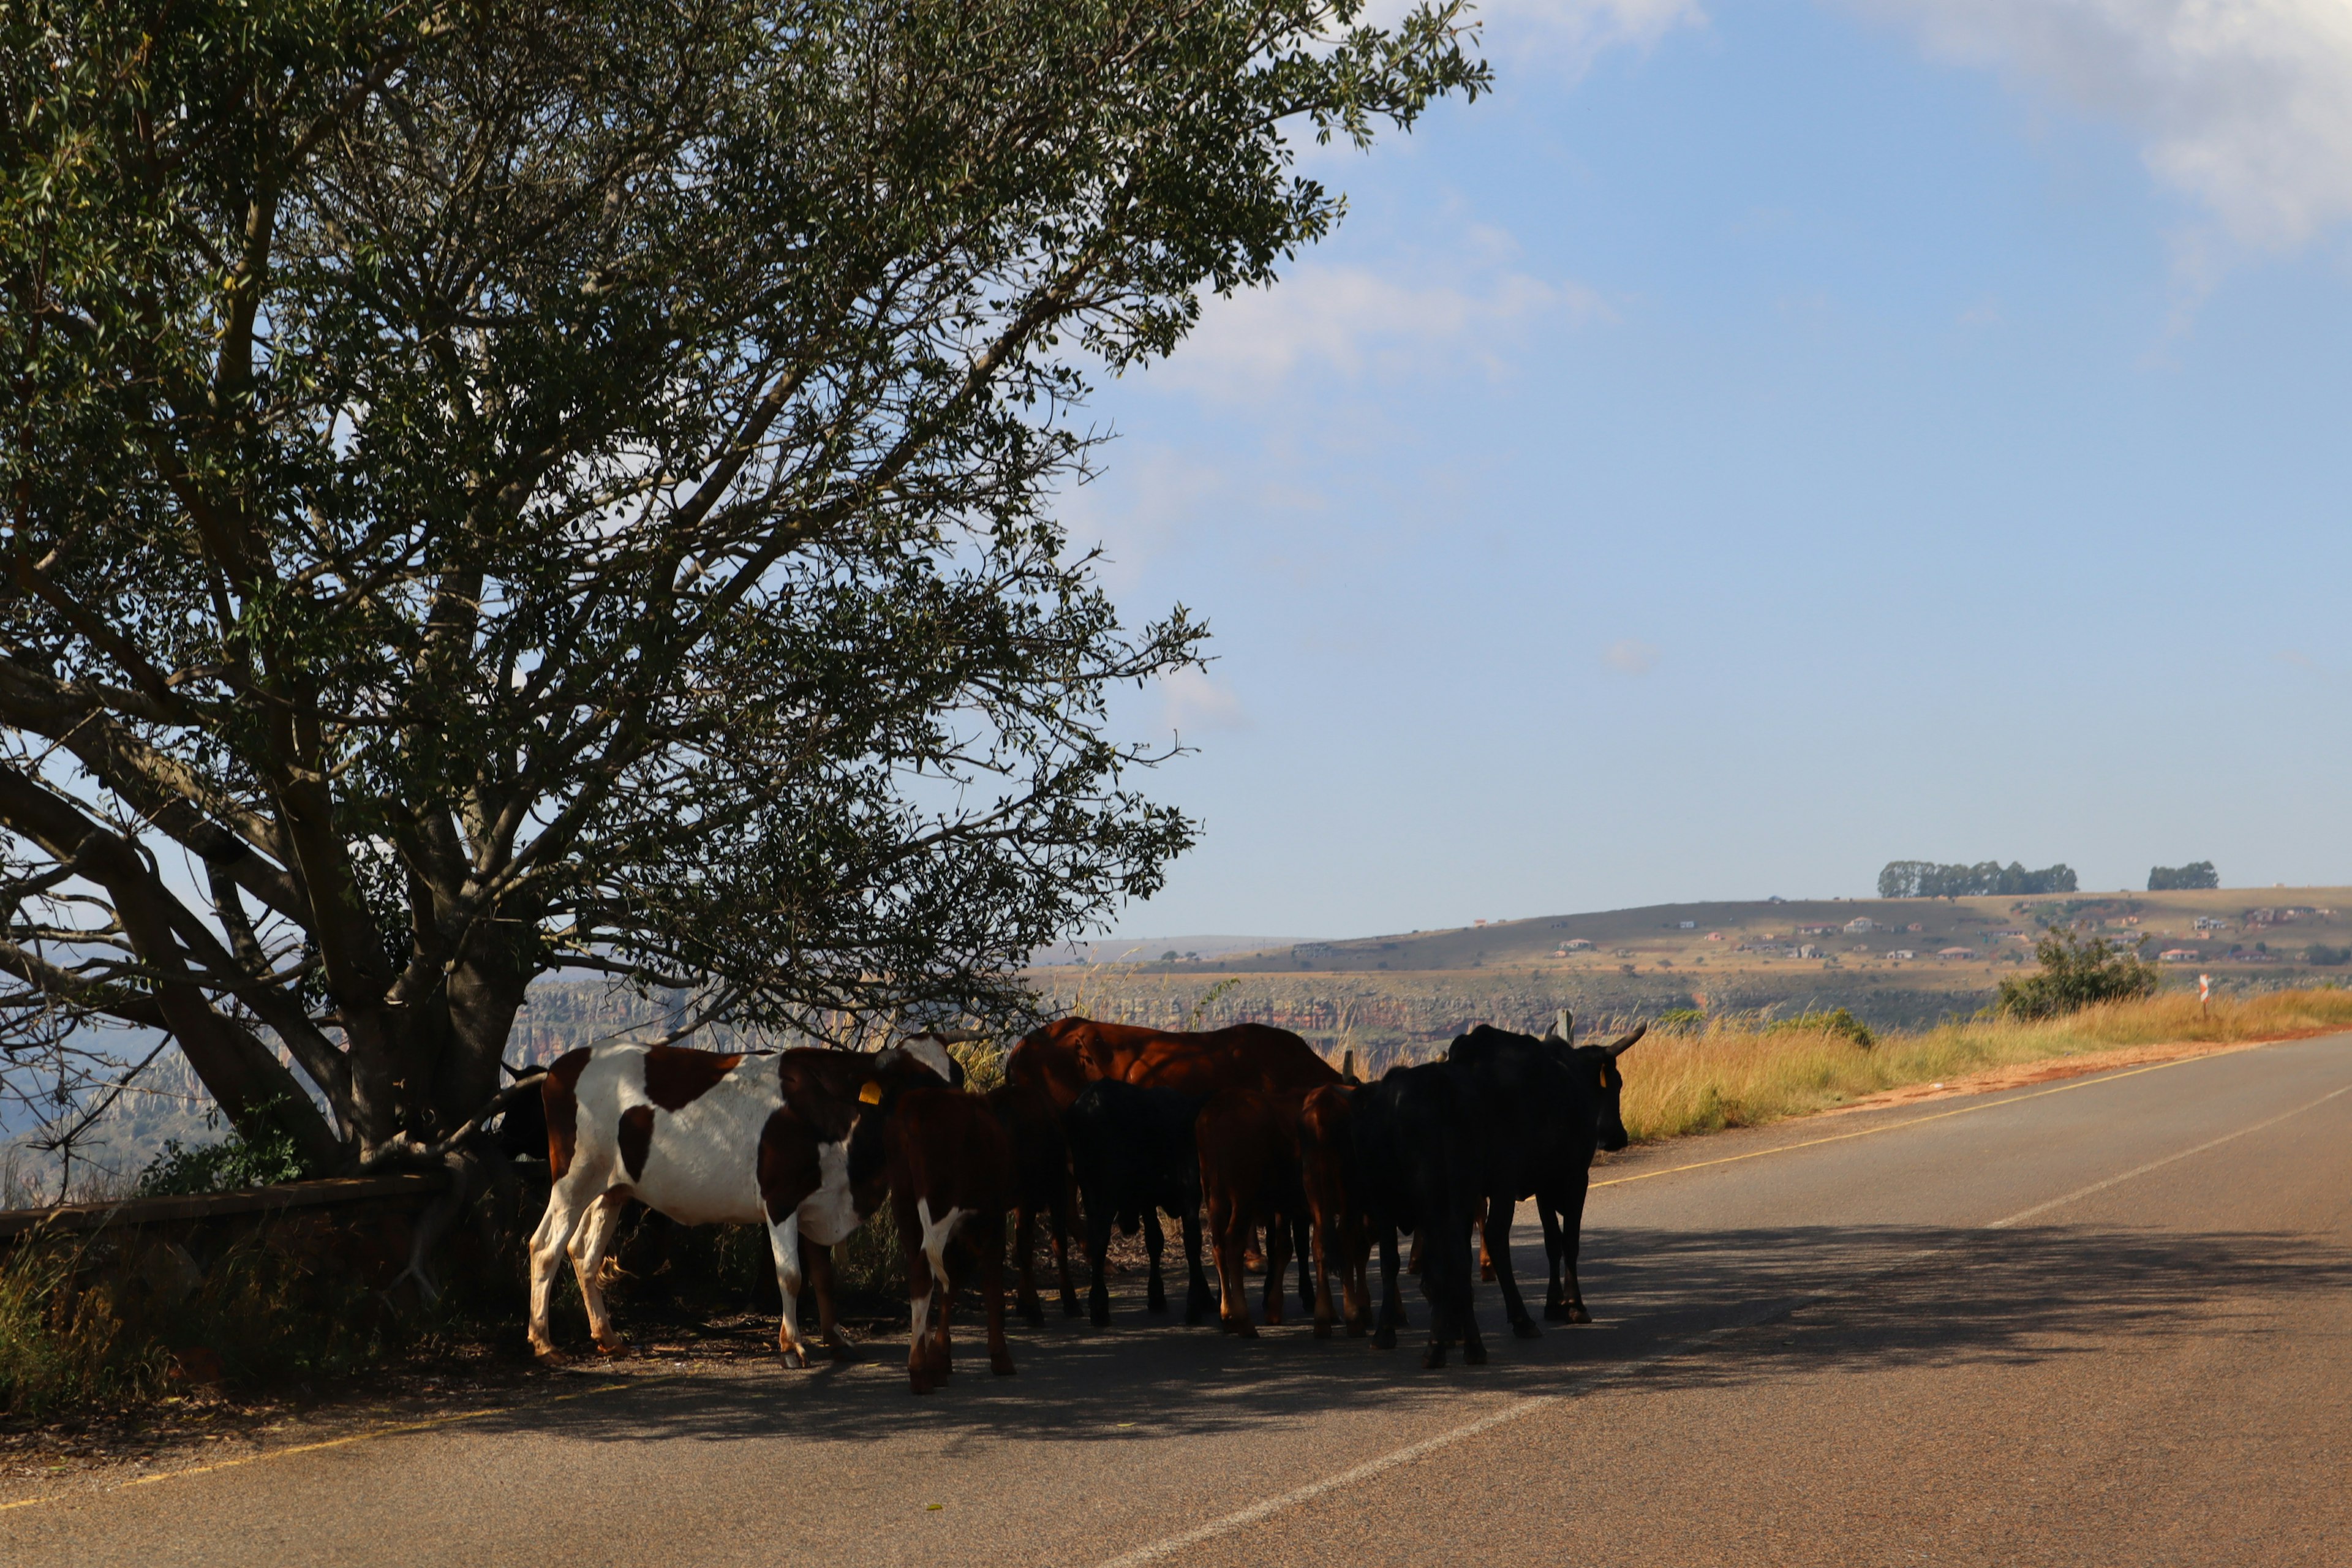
(1135,1155)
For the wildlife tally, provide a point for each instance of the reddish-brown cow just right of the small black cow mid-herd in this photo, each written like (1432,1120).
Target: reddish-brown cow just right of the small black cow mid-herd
(1248,1179)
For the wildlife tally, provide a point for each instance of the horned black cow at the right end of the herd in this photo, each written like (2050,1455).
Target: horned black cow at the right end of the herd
(1544,1108)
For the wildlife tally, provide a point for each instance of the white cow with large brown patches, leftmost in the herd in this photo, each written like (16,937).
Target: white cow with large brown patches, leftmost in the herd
(789,1141)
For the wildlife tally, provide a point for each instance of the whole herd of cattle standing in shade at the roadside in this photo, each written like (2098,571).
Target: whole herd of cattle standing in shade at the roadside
(1245,1125)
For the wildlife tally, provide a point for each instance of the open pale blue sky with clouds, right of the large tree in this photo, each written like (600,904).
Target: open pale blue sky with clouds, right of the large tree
(1768,441)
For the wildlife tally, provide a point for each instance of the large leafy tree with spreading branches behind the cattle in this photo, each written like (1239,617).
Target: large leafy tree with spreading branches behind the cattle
(568,483)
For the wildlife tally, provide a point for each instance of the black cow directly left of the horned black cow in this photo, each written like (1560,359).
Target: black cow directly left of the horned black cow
(1417,1167)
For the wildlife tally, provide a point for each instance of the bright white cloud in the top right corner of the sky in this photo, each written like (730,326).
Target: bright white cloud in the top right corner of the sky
(2245,105)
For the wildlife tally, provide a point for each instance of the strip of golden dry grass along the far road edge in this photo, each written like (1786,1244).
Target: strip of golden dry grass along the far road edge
(1739,1076)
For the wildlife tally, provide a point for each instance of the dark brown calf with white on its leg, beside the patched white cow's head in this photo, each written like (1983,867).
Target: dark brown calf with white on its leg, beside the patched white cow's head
(951,1177)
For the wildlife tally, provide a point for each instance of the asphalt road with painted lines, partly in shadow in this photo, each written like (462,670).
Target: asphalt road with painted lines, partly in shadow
(2090,1322)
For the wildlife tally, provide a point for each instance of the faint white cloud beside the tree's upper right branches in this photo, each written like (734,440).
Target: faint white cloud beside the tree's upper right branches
(1351,319)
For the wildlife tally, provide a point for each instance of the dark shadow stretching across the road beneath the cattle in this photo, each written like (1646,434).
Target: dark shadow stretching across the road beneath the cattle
(1681,1308)
